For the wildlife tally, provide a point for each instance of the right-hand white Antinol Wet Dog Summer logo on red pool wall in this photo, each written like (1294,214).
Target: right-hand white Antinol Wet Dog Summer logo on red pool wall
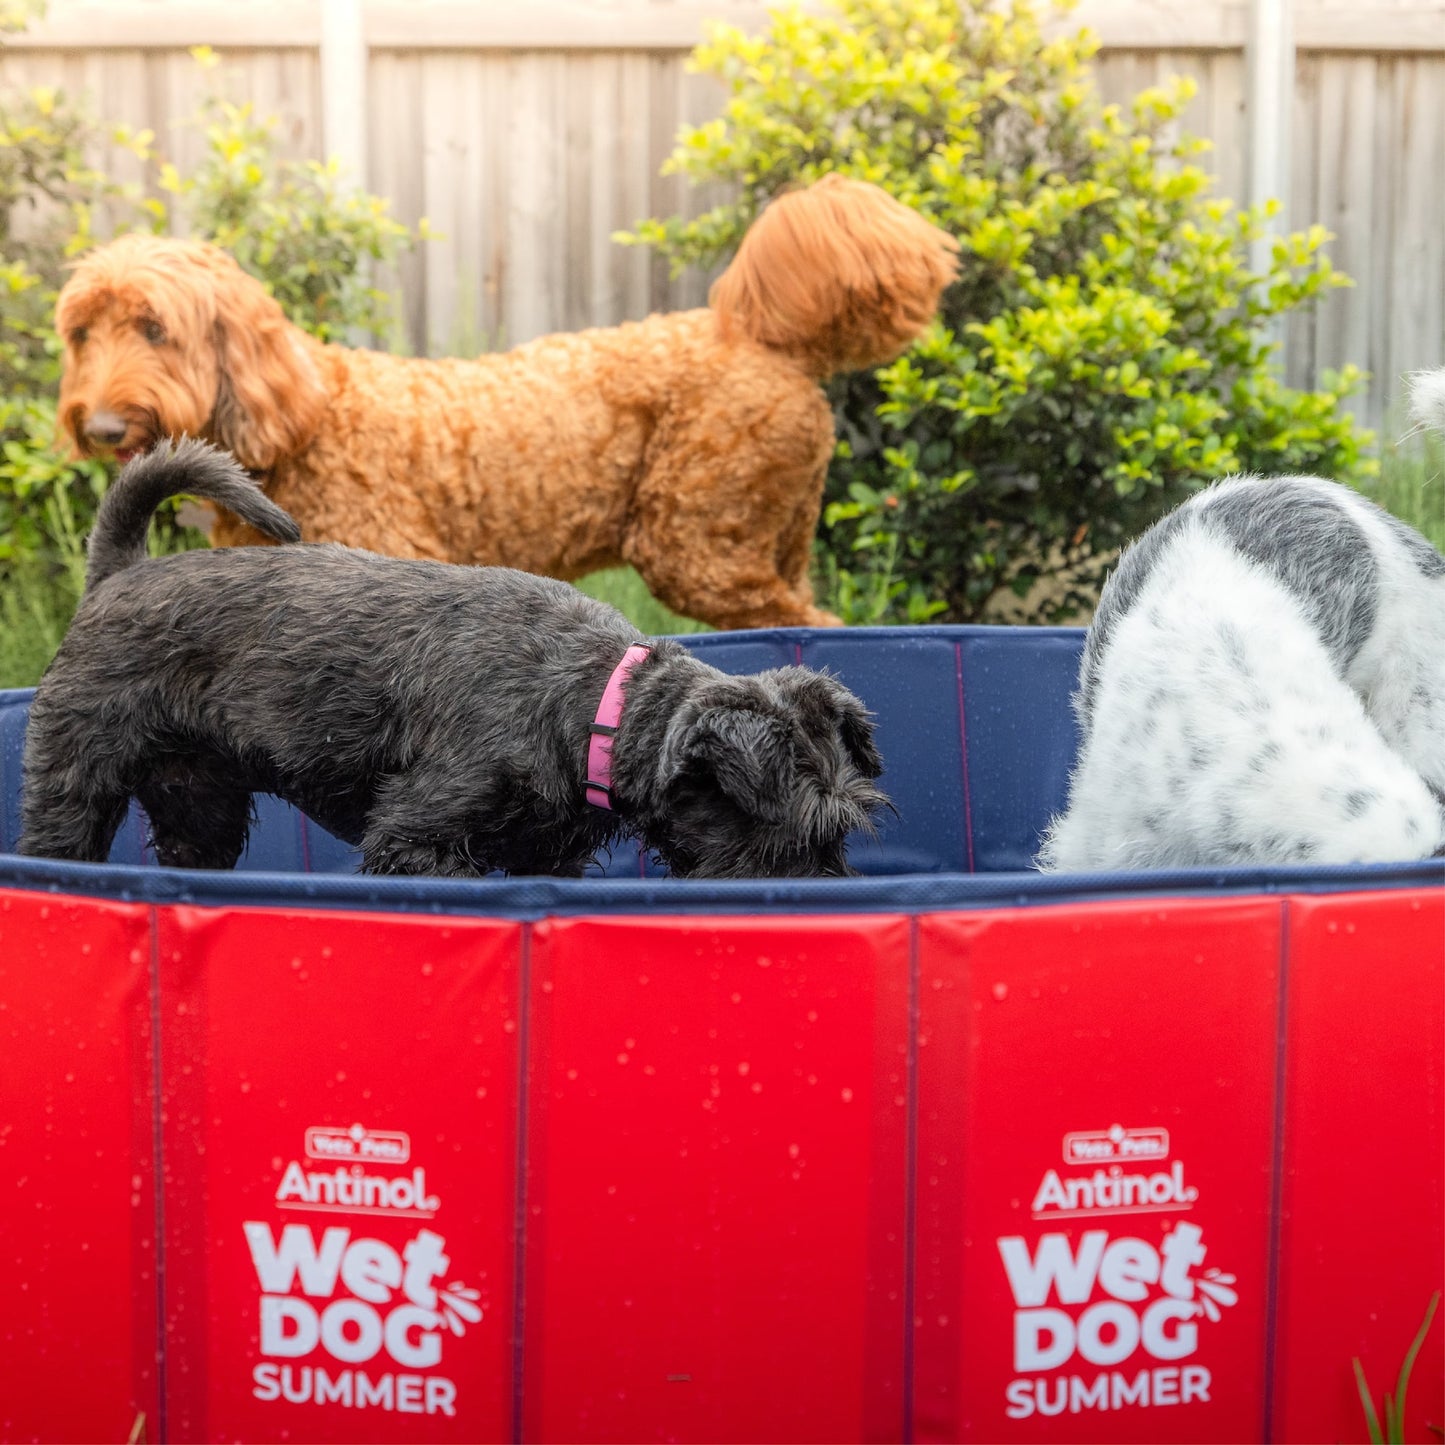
(1110,1287)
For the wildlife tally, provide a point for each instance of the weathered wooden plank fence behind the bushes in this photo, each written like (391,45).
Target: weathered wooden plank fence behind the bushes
(528,134)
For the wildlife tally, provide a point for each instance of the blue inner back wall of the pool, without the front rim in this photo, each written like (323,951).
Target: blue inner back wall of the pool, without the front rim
(975,728)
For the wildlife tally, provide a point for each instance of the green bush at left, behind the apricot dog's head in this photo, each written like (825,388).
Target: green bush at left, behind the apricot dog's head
(291,223)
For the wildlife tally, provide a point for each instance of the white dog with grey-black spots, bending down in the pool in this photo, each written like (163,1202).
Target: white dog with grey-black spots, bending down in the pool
(1265,684)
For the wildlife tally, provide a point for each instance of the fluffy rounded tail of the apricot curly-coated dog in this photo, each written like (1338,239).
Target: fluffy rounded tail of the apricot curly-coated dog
(840,277)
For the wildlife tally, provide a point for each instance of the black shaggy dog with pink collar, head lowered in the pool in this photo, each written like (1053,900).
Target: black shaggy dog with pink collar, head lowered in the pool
(440,717)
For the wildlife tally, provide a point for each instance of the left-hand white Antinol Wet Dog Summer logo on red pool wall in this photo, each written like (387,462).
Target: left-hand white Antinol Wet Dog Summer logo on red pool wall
(358,1311)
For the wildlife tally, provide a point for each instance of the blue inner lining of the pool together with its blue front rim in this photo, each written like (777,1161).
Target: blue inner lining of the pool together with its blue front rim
(978,738)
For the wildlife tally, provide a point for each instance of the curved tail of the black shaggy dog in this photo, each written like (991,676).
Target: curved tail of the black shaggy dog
(189,466)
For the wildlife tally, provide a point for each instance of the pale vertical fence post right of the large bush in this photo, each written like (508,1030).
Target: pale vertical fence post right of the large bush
(1271,102)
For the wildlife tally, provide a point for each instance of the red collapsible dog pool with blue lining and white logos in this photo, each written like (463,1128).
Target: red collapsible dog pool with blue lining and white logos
(950,1151)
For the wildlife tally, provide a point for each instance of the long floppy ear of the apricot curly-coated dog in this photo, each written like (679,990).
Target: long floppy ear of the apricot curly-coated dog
(269,400)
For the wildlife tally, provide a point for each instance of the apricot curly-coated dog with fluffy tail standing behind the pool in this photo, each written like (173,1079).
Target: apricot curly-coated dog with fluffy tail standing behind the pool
(691,446)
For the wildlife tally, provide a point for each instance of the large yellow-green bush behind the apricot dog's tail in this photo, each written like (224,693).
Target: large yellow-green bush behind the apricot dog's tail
(1102,355)
